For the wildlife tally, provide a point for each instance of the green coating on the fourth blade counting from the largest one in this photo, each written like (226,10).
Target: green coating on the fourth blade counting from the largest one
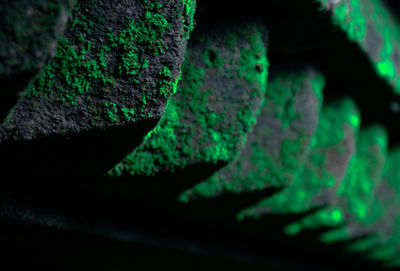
(315,176)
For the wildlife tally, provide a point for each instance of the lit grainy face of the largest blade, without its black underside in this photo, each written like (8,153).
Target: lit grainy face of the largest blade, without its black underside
(116,64)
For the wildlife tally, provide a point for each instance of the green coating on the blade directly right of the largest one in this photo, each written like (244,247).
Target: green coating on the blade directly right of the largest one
(192,129)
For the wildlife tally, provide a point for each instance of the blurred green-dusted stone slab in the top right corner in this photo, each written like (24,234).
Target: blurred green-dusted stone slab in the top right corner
(364,19)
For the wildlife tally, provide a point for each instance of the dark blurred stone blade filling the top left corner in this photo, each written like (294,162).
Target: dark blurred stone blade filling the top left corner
(29,30)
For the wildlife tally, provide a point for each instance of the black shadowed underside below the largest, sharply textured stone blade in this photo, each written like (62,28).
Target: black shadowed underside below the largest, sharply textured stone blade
(85,154)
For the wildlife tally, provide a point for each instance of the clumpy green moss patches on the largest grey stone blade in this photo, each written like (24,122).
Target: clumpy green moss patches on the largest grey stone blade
(79,65)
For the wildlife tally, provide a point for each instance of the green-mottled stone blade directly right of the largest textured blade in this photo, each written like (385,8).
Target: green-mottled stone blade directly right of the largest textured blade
(223,85)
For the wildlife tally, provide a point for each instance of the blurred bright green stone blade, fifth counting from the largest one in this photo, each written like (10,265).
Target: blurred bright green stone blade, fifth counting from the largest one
(351,207)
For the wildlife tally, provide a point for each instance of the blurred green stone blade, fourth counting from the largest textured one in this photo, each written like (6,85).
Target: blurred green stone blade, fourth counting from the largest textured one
(323,170)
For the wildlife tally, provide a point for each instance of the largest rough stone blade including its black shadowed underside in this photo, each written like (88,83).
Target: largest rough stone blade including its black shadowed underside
(115,67)
